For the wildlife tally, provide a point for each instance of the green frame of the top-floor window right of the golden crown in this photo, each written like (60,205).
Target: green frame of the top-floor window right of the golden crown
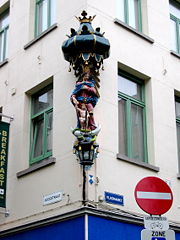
(126,15)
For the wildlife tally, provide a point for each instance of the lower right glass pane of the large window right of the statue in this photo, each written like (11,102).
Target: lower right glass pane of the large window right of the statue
(137,132)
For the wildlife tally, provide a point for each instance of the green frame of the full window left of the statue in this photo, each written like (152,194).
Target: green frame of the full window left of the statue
(34,117)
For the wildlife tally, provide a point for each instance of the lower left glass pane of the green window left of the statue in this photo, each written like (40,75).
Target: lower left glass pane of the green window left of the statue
(38,137)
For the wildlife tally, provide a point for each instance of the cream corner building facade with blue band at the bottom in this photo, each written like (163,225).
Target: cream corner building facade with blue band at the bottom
(138,111)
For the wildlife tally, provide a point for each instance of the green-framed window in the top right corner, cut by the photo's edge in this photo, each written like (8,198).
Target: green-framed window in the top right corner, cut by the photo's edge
(175,25)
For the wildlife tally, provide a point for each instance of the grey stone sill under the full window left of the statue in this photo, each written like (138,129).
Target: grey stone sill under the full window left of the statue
(36,166)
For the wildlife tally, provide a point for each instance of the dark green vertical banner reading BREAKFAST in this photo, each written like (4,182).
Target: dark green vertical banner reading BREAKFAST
(4,137)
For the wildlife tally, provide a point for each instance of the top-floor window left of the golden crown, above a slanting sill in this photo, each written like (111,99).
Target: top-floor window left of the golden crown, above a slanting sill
(45,15)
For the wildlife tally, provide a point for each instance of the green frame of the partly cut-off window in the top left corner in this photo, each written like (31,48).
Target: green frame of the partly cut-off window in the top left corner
(4,30)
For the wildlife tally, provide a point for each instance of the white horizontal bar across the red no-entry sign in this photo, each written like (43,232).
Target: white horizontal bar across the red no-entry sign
(154,195)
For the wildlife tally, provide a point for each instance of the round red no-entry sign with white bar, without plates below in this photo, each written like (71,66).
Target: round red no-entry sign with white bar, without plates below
(153,195)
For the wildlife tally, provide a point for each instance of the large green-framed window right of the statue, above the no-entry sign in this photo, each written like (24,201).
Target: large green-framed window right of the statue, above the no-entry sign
(132,130)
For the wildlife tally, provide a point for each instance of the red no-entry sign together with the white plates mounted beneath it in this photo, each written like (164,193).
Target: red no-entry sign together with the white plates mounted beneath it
(155,197)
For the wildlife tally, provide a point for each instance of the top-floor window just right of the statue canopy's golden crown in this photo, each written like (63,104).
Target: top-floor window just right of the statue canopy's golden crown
(129,11)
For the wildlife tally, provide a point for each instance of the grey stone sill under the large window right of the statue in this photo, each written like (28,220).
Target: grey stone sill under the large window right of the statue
(137,163)
